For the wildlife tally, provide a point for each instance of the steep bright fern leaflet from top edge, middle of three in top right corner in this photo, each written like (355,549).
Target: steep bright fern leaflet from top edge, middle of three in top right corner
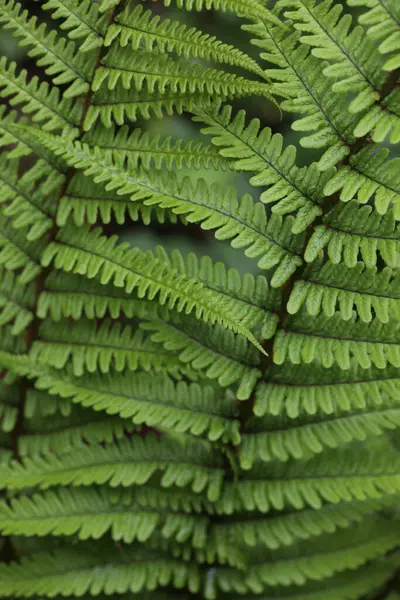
(355,65)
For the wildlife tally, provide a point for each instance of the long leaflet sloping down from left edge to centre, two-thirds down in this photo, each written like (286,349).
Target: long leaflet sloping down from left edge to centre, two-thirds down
(155,402)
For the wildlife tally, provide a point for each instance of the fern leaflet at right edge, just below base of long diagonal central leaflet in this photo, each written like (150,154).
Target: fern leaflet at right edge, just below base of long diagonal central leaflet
(328,287)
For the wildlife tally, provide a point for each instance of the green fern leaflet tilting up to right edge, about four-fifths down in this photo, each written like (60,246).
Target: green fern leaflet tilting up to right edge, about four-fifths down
(331,477)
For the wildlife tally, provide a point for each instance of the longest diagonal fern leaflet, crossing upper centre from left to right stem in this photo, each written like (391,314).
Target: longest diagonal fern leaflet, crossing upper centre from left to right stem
(214,207)
